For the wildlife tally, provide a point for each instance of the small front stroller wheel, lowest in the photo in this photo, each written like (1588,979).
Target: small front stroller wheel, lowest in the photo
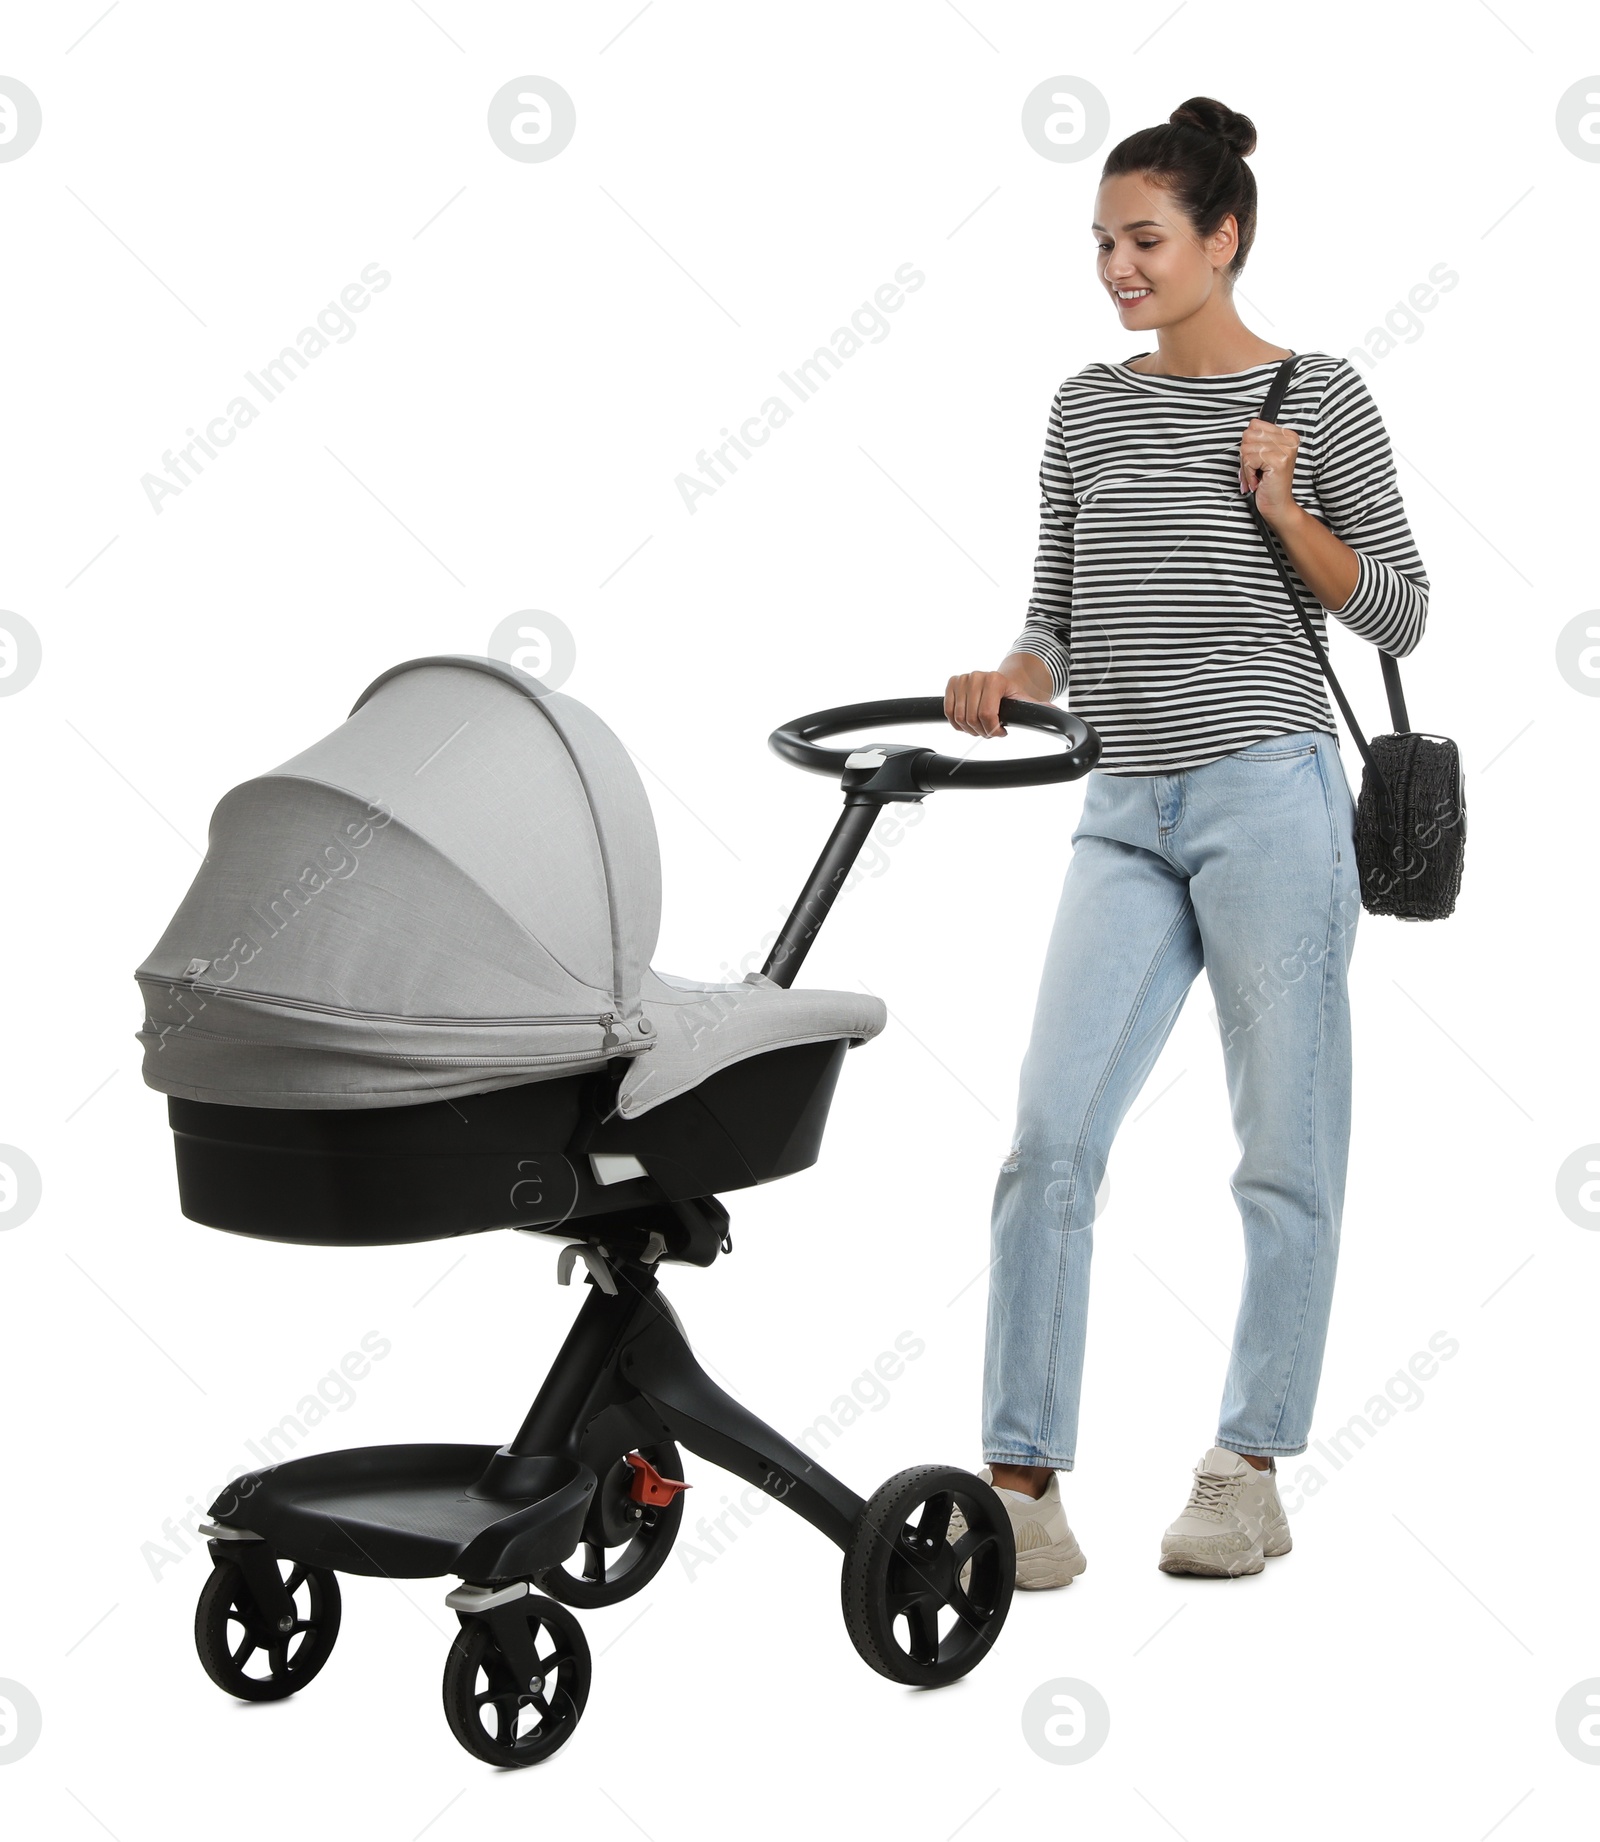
(562,1650)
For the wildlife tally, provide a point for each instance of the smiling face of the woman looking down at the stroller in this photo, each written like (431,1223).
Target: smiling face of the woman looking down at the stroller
(1148,257)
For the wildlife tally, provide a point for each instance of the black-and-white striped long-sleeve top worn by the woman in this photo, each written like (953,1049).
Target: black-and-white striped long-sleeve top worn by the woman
(1155,601)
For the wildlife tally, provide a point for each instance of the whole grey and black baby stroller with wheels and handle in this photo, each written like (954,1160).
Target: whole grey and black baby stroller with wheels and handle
(408,997)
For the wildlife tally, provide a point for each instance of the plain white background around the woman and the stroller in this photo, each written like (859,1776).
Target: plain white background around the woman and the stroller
(504,432)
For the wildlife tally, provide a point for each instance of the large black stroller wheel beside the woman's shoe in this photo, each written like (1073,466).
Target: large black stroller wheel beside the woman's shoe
(898,1568)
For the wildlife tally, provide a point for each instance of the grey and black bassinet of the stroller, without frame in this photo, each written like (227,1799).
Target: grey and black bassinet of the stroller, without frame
(410,992)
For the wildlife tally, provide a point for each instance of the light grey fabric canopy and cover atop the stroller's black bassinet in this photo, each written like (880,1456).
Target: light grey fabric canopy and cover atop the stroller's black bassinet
(458,891)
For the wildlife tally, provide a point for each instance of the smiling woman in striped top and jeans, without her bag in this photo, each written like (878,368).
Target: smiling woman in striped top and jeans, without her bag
(1216,830)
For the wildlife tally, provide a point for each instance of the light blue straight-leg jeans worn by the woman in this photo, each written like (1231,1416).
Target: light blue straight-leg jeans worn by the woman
(1244,867)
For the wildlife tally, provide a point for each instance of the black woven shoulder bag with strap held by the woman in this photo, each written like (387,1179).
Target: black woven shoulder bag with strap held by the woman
(1411,821)
